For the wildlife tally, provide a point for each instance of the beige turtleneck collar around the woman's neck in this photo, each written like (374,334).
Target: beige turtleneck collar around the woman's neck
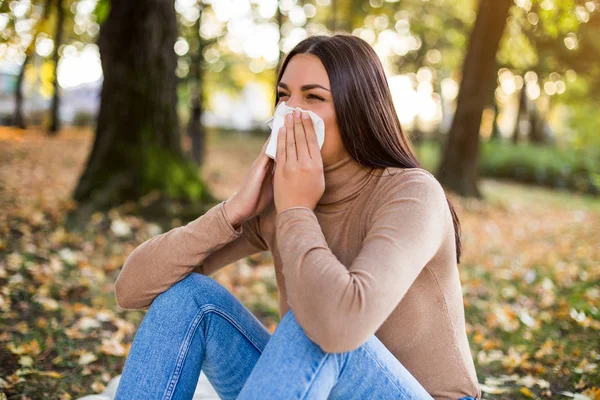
(343,180)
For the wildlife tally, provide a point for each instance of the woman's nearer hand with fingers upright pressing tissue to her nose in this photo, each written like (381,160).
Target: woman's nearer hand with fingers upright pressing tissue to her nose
(298,176)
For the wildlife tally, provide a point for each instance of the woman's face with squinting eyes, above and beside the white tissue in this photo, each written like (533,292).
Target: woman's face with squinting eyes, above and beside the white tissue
(305,84)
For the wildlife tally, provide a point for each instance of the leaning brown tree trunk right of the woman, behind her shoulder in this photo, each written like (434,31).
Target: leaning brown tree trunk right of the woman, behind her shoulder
(459,166)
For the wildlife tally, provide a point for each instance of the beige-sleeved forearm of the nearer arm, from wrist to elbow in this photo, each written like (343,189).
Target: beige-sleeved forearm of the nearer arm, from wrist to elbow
(320,289)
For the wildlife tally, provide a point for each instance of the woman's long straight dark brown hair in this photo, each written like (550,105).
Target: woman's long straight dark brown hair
(368,122)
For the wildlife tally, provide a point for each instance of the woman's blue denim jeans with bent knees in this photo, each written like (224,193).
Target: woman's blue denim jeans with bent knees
(198,325)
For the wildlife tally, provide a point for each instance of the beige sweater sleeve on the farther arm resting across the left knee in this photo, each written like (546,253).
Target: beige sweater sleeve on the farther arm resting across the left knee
(203,245)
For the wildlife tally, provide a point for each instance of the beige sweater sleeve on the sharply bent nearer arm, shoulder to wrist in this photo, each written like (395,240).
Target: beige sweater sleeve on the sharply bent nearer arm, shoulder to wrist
(340,306)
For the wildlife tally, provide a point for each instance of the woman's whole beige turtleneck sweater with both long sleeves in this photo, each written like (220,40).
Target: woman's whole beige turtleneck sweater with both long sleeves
(377,255)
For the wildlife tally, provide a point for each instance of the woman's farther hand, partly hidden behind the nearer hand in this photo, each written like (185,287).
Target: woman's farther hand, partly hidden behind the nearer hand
(255,193)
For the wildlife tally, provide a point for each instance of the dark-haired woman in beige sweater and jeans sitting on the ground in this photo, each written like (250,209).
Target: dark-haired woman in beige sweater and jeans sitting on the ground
(365,245)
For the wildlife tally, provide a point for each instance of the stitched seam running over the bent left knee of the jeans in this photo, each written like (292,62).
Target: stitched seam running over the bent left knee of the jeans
(188,339)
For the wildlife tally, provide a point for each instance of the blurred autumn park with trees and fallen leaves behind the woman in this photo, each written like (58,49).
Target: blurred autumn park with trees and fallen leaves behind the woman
(120,120)
